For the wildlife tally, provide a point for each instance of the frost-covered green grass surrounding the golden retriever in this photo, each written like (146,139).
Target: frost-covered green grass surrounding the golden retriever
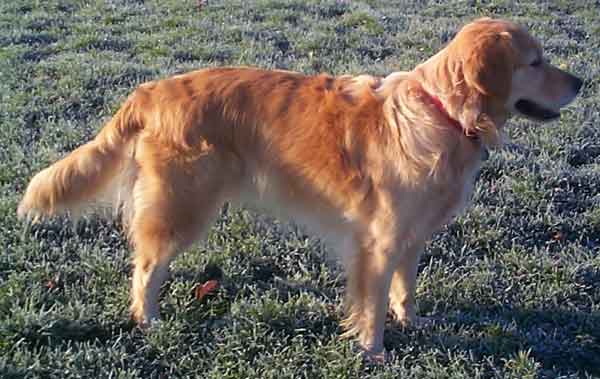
(513,282)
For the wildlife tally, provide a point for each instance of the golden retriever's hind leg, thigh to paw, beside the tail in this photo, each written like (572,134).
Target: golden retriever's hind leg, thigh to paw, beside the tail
(172,209)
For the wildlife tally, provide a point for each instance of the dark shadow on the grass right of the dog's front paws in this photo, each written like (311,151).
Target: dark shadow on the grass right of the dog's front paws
(557,339)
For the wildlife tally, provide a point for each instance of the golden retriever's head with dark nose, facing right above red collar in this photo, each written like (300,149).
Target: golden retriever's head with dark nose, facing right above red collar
(496,68)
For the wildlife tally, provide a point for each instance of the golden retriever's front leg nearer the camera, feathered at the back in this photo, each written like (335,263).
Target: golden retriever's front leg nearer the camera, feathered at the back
(369,277)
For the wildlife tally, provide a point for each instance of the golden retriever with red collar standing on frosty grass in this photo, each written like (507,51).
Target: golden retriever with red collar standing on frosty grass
(375,164)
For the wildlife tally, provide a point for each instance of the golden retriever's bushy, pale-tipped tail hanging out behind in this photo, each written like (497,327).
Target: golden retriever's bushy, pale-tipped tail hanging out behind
(74,183)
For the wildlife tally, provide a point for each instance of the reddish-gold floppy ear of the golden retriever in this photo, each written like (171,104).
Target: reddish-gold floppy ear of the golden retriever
(489,64)
